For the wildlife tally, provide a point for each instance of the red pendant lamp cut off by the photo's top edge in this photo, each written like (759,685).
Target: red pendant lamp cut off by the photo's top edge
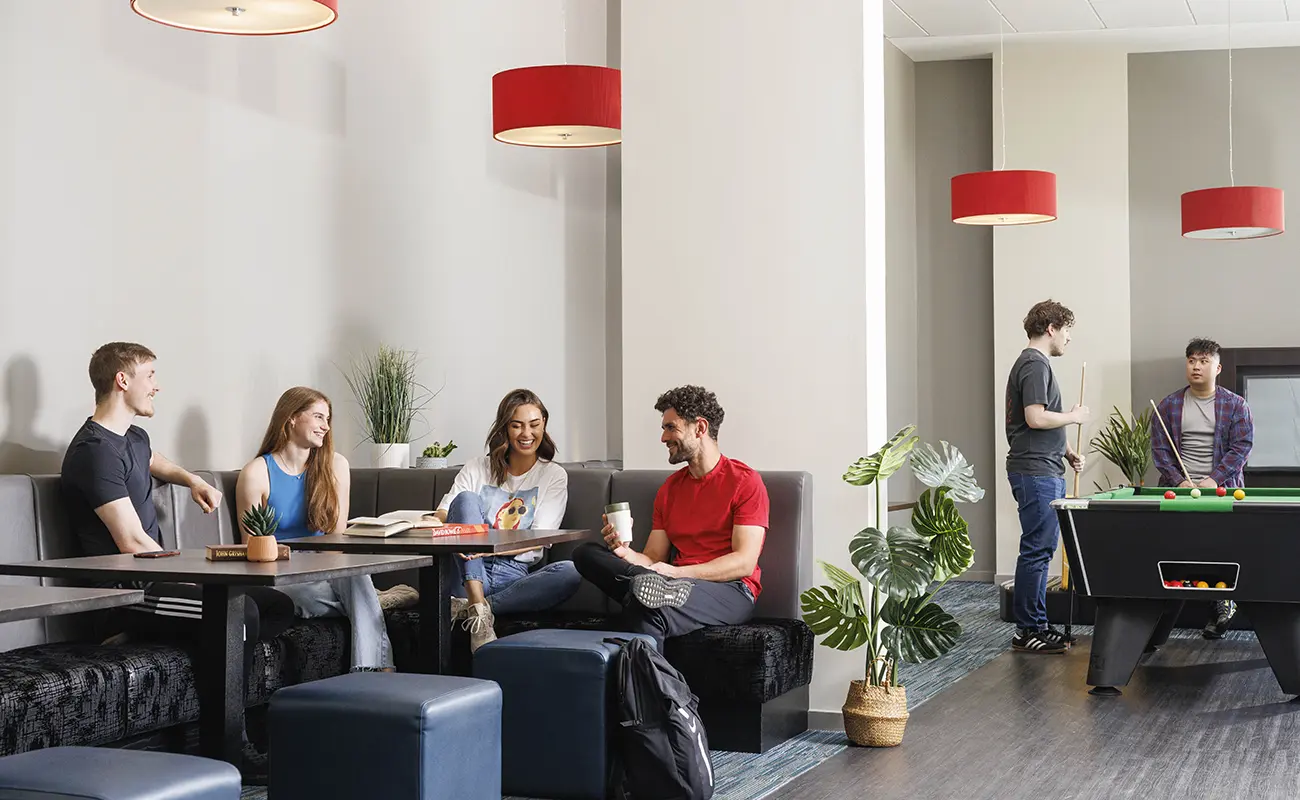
(241,18)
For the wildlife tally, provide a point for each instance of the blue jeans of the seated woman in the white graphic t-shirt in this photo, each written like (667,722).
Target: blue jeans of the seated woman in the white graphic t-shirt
(508,582)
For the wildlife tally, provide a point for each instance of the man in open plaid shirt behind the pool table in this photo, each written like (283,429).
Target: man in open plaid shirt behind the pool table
(1215,433)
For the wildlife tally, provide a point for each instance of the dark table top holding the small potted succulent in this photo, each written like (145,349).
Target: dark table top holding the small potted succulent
(193,567)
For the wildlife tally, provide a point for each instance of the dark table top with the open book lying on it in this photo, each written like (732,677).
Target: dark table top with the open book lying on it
(428,544)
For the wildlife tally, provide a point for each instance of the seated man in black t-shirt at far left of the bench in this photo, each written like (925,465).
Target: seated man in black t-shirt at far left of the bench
(107,487)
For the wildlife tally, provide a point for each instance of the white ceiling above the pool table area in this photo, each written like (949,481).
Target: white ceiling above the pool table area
(931,31)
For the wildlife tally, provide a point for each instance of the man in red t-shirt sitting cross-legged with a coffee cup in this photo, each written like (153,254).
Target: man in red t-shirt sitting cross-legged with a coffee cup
(700,567)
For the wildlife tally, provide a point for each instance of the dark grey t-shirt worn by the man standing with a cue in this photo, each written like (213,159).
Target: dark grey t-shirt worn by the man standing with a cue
(1033,452)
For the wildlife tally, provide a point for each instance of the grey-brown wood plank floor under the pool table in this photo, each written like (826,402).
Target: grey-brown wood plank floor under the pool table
(1199,720)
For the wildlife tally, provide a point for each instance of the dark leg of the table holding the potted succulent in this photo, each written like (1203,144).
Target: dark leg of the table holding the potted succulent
(222,676)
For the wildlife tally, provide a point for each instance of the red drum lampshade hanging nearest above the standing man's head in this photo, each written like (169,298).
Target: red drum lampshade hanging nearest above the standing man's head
(1004,197)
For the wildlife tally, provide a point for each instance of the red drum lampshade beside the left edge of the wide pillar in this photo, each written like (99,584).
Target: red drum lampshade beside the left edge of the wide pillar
(558,106)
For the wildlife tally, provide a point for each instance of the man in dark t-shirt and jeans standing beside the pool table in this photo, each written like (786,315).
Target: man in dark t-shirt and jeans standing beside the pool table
(1038,448)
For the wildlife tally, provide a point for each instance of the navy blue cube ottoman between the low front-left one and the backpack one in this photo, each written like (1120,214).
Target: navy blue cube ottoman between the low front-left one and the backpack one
(387,736)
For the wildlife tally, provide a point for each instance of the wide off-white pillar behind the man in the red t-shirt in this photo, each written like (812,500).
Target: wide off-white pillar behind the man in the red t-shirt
(753,244)
